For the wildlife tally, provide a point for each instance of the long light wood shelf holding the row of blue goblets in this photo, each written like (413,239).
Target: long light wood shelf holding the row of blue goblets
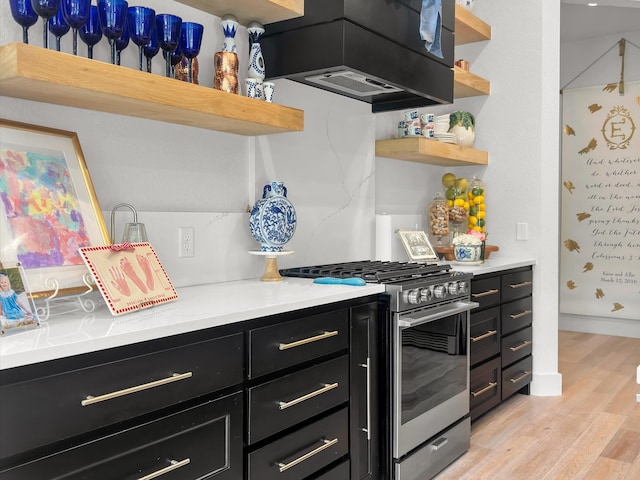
(34,73)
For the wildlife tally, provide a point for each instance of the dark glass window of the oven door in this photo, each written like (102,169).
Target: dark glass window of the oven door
(434,364)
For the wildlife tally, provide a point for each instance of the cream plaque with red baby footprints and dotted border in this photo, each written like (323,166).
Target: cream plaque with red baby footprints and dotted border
(129,276)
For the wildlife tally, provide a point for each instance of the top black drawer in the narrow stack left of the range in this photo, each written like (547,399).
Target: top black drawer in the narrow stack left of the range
(285,344)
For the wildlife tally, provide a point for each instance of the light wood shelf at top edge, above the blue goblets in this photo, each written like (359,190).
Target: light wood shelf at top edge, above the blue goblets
(263,11)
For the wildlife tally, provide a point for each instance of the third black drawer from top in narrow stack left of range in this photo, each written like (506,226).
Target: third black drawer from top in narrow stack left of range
(303,452)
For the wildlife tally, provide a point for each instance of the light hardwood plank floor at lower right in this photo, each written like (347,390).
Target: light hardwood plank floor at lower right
(591,432)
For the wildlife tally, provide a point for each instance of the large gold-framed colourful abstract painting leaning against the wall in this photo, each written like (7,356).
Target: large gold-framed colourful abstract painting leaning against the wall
(48,207)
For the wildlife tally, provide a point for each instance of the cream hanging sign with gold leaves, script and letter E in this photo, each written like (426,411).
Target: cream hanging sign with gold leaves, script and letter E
(600,227)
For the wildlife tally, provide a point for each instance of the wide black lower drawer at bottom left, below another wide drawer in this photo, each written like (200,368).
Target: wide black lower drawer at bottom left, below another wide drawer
(203,441)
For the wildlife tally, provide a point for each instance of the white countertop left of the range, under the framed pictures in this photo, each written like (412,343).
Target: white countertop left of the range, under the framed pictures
(197,307)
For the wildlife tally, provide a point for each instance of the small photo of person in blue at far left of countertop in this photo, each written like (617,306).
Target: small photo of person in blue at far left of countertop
(16,304)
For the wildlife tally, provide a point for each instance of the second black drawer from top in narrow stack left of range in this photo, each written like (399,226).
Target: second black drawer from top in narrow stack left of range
(282,403)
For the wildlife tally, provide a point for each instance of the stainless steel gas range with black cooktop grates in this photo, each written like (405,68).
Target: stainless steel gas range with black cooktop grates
(425,341)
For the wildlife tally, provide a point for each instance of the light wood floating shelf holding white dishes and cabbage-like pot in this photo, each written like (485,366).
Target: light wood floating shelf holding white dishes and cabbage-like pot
(424,150)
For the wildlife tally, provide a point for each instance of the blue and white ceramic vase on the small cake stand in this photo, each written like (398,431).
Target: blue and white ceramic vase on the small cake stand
(273,219)
